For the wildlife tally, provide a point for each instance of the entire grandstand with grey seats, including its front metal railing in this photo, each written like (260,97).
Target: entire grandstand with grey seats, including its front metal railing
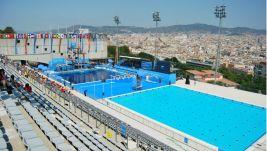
(57,122)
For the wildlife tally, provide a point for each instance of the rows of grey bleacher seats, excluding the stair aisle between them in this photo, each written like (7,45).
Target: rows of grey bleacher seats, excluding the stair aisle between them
(61,131)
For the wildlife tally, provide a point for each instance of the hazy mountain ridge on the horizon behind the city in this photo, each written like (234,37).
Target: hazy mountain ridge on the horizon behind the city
(189,28)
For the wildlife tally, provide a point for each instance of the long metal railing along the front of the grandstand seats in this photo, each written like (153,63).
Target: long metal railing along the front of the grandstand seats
(104,117)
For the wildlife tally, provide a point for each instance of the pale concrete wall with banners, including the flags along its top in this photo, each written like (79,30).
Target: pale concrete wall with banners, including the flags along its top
(92,46)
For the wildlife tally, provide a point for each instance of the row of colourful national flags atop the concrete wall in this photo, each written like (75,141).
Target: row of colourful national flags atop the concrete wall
(53,36)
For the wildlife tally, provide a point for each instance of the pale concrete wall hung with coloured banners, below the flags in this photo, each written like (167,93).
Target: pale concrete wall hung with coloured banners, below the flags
(32,48)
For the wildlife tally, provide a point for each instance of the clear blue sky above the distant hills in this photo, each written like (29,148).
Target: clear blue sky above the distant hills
(36,15)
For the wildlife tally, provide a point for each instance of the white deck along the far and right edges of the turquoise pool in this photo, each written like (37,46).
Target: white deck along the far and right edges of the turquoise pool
(234,94)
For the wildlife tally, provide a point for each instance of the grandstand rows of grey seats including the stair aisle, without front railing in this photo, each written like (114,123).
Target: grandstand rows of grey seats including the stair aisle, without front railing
(31,112)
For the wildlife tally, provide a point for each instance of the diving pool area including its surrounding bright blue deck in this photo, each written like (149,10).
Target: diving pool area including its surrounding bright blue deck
(107,81)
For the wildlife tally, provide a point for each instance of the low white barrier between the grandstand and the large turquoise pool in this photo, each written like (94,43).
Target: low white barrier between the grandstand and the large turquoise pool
(174,134)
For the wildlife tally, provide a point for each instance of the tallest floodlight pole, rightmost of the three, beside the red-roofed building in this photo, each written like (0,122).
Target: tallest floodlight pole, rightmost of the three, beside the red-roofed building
(219,13)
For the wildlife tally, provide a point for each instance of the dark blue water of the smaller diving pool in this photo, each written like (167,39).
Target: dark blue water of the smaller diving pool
(83,76)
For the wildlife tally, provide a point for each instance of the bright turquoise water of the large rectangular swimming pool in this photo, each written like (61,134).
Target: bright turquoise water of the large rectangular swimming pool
(227,124)
